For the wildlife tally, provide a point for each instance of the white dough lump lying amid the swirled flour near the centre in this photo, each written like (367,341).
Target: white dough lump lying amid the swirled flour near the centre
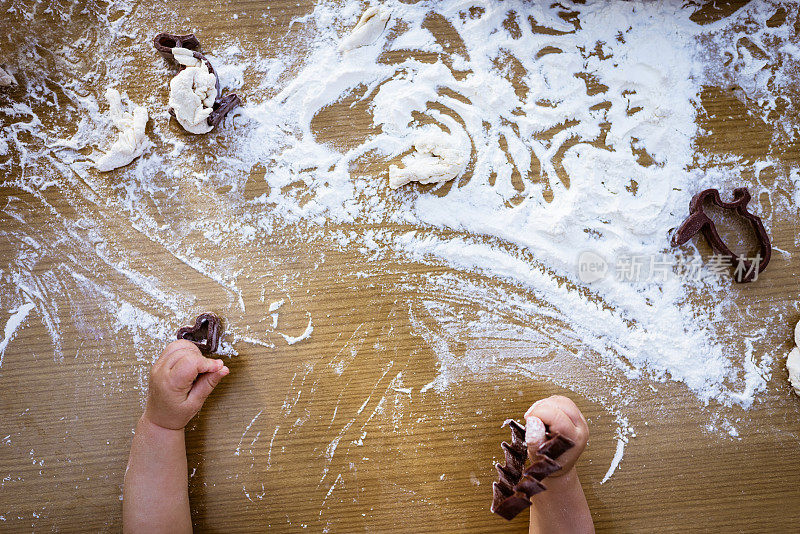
(436,158)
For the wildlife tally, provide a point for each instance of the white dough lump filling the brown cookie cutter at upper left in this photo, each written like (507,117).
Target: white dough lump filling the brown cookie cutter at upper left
(192,92)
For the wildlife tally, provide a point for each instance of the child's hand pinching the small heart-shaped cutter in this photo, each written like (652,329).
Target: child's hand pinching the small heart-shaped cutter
(180,381)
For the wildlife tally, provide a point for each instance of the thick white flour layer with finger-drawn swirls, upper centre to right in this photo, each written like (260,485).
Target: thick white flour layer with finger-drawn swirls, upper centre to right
(592,150)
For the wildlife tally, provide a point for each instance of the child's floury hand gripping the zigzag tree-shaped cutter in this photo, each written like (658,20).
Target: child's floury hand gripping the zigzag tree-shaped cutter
(561,415)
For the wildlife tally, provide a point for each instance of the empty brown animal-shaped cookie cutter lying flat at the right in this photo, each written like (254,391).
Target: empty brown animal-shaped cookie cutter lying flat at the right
(698,221)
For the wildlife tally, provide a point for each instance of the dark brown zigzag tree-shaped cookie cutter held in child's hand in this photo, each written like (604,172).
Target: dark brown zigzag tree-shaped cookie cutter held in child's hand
(512,493)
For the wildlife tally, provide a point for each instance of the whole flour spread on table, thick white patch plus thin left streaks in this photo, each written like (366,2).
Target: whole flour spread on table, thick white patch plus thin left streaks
(578,124)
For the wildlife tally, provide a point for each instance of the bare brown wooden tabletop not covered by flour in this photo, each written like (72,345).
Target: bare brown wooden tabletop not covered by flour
(319,435)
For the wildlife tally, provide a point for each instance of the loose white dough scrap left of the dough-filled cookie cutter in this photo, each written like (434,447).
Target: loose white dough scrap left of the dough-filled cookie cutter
(131,141)
